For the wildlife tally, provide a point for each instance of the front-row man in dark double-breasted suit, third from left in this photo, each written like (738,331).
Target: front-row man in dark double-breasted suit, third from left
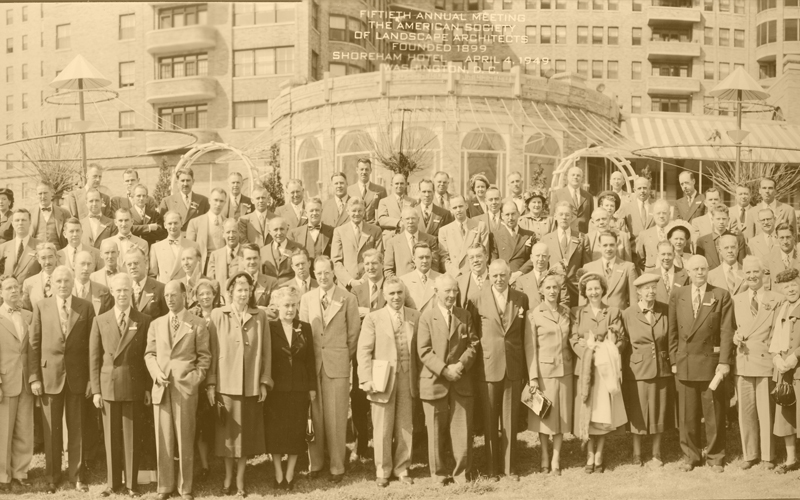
(120,382)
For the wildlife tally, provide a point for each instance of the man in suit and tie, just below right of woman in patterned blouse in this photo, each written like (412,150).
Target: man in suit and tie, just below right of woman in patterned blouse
(569,248)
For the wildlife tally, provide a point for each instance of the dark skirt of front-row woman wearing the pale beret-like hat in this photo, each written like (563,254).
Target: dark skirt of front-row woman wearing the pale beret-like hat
(650,405)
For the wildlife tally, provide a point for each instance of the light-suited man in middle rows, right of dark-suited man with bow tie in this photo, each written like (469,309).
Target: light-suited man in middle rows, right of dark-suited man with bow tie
(350,241)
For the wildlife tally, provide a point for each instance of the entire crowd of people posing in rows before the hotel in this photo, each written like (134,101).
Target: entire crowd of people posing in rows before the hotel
(213,325)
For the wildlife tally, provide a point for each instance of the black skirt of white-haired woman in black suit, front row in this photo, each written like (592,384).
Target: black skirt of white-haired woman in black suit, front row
(285,417)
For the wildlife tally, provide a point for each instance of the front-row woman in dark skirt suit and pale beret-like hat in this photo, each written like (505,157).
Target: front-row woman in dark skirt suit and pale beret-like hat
(648,385)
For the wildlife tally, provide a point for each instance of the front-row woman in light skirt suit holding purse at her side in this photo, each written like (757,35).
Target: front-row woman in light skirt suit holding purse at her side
(550,367)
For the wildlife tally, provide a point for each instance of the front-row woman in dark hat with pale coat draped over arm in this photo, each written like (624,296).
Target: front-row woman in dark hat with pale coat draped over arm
(597,340)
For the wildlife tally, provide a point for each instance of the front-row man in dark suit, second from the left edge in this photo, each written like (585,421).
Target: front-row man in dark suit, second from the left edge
(60,374)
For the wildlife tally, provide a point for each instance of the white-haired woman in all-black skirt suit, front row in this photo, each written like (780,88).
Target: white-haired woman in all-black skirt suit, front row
(295,385)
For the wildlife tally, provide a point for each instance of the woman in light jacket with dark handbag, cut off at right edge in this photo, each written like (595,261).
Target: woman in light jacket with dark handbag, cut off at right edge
(785,349)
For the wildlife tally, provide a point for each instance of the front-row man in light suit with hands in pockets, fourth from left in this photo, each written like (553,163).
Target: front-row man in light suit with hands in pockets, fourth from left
(178,358)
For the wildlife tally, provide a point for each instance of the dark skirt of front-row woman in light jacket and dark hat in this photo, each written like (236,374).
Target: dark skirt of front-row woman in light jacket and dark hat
(240,428)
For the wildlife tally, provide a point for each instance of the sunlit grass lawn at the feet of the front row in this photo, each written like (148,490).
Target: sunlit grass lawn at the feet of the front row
(620,481)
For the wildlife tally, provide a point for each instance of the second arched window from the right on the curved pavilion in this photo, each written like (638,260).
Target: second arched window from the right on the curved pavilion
(483,152)
